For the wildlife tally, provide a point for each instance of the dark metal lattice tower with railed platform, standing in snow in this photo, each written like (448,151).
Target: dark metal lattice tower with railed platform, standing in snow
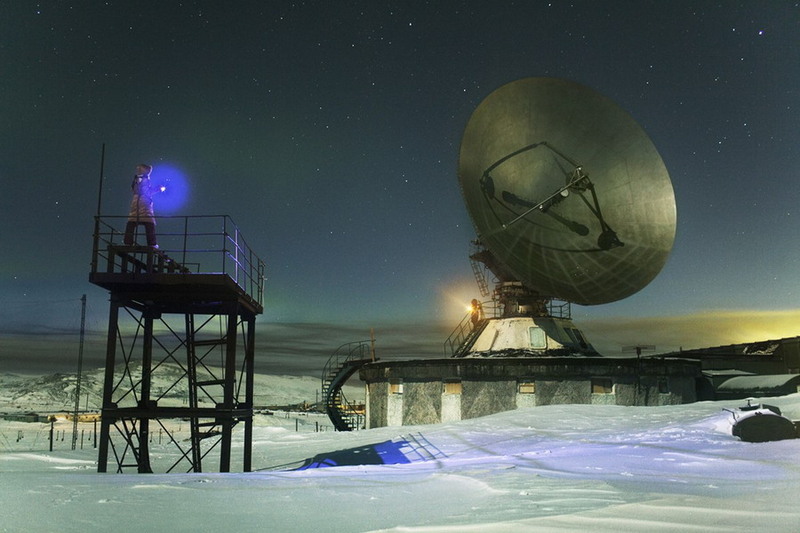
(180,345)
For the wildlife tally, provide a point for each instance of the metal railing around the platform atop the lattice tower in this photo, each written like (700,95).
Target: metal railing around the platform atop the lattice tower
(204,244)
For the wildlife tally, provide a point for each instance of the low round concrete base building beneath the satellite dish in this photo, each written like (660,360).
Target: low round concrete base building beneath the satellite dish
(444,390)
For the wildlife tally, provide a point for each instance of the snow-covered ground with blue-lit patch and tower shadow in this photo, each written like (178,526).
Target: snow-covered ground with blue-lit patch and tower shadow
(550,468)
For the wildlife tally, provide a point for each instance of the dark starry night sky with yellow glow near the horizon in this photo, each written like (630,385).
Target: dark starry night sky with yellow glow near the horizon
(330,132)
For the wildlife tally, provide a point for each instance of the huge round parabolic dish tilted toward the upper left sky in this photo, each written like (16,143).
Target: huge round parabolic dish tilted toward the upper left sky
(566,191)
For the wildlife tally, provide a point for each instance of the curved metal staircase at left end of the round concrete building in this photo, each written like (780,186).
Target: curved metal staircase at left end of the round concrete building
(345,361)
